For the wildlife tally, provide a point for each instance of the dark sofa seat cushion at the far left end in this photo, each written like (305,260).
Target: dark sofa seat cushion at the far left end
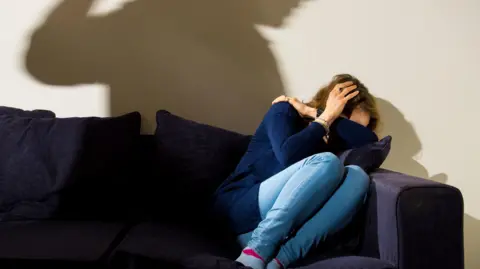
(57,240)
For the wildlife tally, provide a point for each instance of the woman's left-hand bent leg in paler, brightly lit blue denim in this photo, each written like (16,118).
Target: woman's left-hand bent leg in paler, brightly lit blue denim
(305,191)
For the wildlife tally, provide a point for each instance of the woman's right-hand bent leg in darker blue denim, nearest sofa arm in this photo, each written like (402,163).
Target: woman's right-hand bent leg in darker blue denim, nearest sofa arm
(337,212)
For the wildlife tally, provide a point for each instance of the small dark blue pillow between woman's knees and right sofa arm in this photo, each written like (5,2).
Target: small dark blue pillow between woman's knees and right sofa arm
(368,157)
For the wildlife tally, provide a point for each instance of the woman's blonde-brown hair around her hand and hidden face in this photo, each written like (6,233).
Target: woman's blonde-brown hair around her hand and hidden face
(364,99)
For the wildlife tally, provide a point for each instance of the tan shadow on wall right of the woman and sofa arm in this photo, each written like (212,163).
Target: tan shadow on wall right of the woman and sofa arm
(405,145)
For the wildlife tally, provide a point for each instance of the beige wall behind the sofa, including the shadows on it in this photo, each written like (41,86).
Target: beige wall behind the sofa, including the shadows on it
(215,64)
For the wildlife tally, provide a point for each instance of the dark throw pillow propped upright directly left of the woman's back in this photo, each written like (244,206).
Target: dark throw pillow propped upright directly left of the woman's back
(194,159)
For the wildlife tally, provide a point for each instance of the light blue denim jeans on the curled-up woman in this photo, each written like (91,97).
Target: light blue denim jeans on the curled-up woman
(313,198)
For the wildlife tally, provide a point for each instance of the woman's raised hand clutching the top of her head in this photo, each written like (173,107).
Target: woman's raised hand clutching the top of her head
(337,100)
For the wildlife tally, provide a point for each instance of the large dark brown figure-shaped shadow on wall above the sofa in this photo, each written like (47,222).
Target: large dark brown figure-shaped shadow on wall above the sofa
(202,60)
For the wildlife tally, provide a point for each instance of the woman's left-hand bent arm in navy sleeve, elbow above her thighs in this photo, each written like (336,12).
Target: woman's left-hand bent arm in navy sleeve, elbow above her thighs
(290,143)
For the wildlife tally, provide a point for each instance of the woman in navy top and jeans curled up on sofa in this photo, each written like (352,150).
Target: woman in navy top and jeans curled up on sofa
(289,191)
